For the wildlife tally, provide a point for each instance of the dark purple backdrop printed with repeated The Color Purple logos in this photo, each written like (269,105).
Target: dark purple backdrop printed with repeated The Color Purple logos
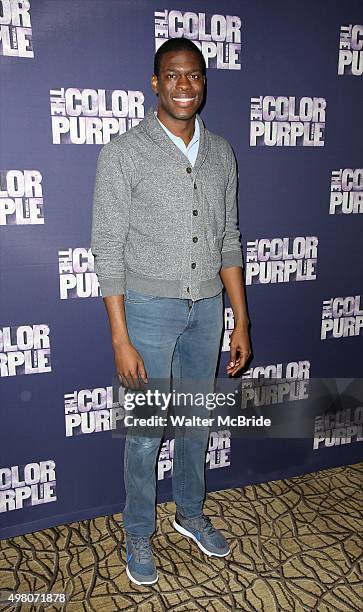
(285,89)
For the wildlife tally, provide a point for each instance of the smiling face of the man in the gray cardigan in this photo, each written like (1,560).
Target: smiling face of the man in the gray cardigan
(180,85)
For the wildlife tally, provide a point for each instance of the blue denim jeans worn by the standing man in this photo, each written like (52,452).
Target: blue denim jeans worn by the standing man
(181,338)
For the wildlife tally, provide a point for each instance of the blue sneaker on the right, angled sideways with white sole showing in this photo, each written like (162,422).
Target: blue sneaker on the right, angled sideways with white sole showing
(200,529)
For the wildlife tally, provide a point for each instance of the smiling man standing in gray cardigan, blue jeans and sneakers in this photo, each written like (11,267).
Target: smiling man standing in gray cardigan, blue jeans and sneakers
(165,241)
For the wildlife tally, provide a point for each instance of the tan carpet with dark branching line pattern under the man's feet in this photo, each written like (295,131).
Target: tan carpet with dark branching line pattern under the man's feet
(296,545)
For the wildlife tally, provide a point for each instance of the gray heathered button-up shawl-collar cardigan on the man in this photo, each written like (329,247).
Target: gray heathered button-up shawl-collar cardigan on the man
(159,225)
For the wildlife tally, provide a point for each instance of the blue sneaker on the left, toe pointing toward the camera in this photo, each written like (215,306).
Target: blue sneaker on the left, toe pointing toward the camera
(140,566)
